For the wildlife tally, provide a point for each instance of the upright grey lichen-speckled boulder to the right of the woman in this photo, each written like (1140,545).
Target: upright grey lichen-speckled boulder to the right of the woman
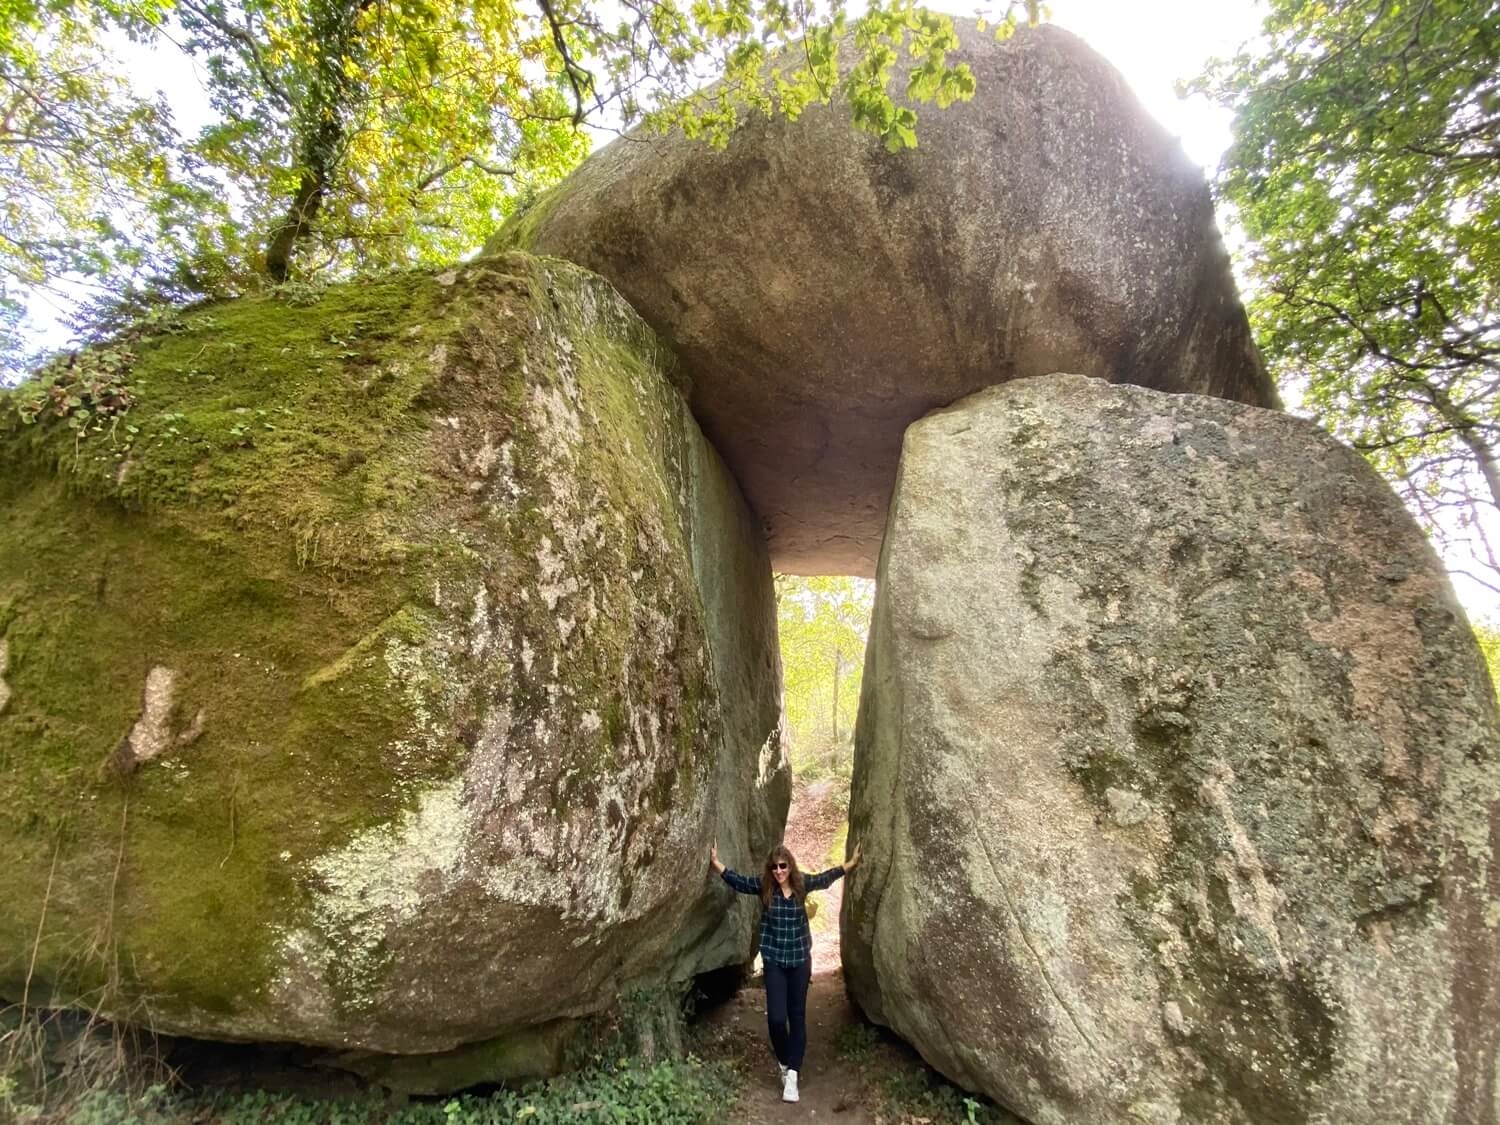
(1175,772)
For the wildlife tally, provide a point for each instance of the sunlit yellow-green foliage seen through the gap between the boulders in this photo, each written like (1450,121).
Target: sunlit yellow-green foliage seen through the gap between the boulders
(823,623)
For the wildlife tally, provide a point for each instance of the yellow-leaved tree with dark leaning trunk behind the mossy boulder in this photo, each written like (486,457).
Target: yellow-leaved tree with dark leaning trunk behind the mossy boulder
(368,136)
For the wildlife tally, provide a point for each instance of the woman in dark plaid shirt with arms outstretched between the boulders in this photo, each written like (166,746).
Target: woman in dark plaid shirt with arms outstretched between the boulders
(787,949)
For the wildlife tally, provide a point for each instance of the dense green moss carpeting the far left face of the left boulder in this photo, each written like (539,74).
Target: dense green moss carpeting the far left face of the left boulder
(214,532)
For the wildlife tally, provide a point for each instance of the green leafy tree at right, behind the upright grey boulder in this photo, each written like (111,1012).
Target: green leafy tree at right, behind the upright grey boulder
(1366,172)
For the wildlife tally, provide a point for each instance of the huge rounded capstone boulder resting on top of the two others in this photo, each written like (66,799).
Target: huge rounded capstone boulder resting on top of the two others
(826,293)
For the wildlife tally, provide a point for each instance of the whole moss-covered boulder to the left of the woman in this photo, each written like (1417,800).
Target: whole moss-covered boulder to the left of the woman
(383,676)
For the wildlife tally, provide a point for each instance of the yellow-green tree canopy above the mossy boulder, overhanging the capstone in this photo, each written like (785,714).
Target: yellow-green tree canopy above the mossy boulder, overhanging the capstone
(356,136)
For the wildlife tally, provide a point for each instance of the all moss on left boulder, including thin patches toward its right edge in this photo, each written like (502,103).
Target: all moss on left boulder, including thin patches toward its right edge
(289,523)
